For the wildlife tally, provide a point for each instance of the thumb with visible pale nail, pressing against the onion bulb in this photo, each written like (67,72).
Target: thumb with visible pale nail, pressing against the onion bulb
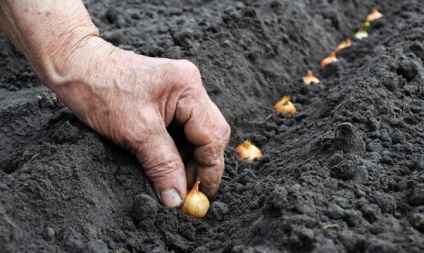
(162,163)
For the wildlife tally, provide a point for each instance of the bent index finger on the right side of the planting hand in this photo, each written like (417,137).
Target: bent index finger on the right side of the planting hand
(206,128)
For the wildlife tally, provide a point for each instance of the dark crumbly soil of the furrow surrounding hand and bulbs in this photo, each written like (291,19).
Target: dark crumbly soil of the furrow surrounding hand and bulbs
(344,174)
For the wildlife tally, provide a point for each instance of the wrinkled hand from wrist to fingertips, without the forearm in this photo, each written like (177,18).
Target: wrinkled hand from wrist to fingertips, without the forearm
(131,99)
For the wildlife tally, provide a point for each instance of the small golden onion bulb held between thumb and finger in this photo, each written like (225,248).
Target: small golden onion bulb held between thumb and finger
(196,204)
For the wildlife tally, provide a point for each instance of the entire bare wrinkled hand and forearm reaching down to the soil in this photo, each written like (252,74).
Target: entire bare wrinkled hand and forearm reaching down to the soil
(126,97)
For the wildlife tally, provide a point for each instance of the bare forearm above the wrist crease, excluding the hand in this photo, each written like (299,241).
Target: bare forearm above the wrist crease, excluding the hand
(47,32)
